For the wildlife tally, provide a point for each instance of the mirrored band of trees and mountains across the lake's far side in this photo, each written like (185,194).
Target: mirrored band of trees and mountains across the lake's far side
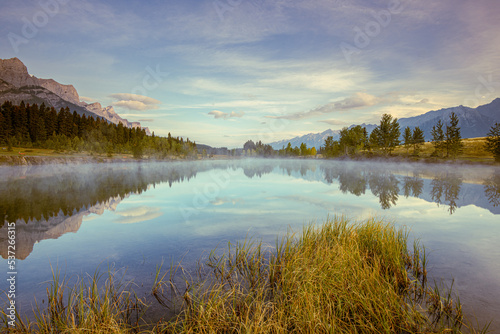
(49,202)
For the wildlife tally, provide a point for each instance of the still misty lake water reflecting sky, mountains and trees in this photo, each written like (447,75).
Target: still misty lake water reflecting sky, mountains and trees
(135,216)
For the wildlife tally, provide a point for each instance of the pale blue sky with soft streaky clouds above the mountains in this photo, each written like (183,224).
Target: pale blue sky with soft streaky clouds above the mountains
(221,72)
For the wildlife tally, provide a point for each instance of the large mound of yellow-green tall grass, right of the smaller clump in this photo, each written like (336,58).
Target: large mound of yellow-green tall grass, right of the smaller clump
(335,278)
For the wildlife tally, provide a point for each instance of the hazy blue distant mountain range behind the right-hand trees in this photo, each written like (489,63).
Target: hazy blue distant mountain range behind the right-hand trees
(473,122)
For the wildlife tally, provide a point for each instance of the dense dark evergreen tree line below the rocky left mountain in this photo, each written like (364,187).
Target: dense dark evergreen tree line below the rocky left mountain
(36,126)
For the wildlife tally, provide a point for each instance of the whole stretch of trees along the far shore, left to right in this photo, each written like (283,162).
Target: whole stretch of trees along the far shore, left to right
(28,126)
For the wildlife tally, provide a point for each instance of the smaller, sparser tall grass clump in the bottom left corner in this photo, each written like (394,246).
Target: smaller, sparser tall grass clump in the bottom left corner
(101,303)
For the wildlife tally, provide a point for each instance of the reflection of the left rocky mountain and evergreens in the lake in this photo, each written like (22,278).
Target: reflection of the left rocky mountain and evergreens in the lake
(48,202)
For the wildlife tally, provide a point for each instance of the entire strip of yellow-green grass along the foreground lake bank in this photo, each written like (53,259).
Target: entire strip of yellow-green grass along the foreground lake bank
(337,277)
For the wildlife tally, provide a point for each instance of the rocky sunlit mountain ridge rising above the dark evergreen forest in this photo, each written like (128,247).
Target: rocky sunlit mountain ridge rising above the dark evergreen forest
(17,85)
